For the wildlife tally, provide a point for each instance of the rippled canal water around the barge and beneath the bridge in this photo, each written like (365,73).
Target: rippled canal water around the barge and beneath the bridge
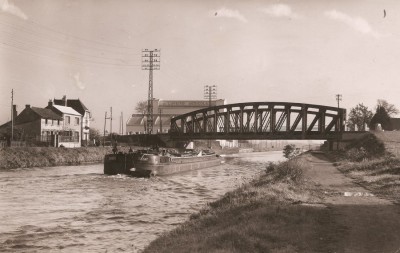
(78,209)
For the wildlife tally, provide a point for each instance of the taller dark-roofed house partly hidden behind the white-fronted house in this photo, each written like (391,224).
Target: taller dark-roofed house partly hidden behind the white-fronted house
(78,106)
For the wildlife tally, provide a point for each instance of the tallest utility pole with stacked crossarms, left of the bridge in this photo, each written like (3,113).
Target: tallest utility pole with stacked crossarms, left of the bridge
(150,61)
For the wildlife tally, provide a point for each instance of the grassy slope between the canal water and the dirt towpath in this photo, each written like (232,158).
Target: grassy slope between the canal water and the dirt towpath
(278,212)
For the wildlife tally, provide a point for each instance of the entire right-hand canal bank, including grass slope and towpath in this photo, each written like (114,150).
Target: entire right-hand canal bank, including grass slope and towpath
(313,203)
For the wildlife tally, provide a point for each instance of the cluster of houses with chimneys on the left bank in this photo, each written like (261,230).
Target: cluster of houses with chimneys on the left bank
(56,125)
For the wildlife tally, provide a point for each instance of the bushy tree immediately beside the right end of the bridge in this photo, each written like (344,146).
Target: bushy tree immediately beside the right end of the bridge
(359,116)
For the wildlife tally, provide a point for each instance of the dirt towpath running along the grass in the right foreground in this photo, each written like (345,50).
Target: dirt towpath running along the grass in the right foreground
(367,223)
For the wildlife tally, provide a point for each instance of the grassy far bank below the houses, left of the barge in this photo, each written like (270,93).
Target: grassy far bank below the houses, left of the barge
(26,157)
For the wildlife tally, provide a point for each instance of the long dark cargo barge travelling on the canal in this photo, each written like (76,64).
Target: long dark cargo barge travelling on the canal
(146,163)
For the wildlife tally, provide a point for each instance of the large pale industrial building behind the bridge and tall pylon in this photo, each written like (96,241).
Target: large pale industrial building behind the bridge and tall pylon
(163,111)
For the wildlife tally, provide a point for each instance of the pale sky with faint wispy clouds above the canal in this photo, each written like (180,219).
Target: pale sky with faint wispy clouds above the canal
(303,51)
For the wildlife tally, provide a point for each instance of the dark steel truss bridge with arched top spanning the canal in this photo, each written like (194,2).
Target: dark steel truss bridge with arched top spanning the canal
(260,120)
